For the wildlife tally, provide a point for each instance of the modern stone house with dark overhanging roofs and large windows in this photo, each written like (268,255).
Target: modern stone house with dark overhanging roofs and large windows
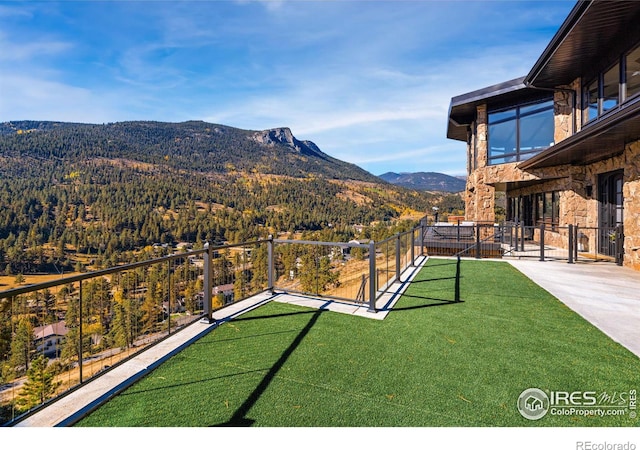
(562,143)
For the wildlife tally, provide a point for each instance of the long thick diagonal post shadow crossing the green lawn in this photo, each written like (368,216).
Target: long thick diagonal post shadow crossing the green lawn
(239,418)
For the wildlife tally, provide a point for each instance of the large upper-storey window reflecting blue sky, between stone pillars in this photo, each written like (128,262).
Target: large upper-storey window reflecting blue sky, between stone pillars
(518,133)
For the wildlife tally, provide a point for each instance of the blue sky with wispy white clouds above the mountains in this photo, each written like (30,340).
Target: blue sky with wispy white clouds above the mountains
(369,82)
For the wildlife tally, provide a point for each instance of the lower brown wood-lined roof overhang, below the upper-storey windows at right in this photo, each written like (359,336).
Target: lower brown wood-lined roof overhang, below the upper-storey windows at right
(597,141)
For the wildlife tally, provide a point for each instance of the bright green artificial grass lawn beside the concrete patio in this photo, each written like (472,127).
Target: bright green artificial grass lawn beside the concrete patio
(431,362)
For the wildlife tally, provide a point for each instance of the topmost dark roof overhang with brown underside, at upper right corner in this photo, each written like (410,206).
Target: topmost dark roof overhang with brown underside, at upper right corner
(593,29)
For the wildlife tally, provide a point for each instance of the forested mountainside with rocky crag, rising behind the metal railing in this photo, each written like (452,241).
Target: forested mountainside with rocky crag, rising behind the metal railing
(73,195)
